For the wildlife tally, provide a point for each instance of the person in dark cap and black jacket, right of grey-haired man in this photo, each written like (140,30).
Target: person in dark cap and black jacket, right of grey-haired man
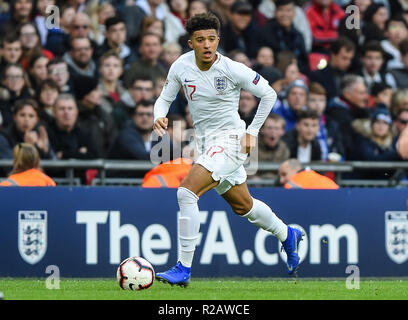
(92,119)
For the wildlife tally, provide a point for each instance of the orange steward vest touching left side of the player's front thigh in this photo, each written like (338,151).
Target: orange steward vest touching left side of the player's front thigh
(167,175)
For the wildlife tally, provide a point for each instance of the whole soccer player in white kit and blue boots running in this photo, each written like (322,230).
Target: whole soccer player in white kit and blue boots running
(212,84)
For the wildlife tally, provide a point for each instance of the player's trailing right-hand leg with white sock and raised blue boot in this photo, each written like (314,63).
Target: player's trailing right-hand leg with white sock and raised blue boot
(260,214)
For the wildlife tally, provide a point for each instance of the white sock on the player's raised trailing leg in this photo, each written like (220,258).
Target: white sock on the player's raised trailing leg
(262,216)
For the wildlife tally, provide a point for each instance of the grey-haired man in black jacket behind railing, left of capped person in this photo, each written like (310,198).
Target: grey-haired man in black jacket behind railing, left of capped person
(67,140)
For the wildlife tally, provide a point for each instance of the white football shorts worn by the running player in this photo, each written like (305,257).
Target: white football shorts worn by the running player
(223,158)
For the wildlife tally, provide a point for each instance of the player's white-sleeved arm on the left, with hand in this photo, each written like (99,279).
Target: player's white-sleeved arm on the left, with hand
(163,102)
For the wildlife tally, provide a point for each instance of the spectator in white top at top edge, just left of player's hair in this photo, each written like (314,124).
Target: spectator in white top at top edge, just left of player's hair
(175,20)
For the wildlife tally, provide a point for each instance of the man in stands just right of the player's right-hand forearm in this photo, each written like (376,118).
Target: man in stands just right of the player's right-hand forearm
(271,148)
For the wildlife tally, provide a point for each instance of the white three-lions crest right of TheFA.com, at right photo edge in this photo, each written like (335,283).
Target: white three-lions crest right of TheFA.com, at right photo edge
(396,235)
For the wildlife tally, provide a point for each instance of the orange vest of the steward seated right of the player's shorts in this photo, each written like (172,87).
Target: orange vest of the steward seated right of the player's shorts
(309,179)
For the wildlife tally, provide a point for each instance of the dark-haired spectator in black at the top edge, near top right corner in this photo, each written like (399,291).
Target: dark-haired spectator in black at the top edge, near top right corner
(374,20)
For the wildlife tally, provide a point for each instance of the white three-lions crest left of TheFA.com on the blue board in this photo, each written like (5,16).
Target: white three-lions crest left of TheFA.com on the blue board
(32,235)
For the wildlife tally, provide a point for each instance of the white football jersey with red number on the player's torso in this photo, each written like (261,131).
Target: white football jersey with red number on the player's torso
(213,95)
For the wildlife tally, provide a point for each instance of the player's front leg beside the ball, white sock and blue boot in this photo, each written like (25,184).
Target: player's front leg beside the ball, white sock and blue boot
(196,183)
